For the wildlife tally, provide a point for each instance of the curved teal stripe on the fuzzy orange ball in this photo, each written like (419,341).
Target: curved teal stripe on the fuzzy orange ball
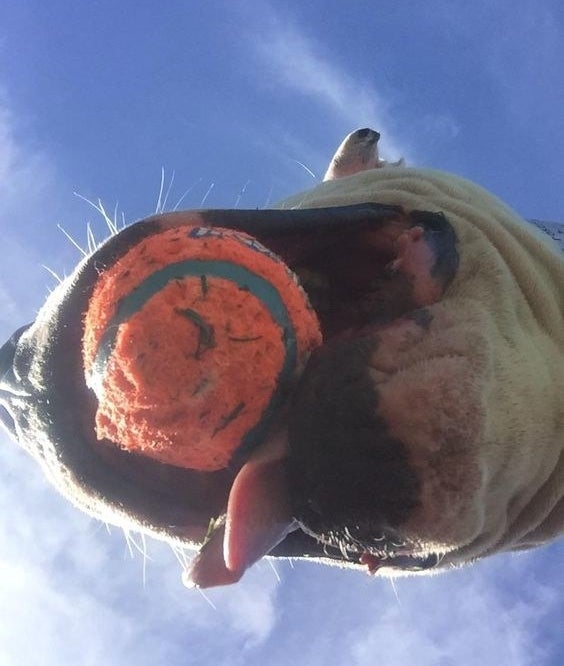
(258,286)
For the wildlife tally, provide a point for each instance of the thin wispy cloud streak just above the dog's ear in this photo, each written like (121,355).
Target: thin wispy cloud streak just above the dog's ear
(290,59)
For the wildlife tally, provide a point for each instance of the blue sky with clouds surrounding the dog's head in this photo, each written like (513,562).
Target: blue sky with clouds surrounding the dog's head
(236,101)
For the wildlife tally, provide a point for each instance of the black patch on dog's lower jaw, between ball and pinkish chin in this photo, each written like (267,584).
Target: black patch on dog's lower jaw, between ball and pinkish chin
(334,414)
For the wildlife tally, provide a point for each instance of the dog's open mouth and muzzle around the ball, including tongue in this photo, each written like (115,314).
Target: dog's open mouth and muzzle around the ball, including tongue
(359,270)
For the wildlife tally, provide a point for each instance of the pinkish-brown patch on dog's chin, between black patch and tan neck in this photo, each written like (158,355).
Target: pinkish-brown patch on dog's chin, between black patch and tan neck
(432,400)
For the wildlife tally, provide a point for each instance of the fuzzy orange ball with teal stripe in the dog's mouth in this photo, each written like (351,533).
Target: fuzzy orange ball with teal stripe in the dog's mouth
(191,342)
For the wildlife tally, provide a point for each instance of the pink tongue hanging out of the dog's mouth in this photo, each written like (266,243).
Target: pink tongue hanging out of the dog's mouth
(258,517)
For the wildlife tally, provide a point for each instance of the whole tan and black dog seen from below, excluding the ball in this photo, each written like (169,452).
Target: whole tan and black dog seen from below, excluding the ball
(427,431)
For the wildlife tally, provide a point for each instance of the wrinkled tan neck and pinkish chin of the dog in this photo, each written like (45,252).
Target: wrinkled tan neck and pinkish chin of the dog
(479,397)
